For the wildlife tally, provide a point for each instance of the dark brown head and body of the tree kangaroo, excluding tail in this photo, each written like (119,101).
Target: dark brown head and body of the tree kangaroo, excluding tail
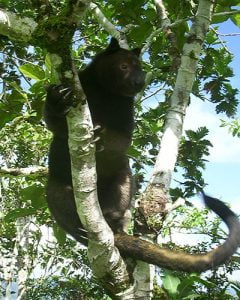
(110,82)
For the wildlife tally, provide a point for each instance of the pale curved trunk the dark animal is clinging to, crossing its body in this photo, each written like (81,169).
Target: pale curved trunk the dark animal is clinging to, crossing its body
(105,259)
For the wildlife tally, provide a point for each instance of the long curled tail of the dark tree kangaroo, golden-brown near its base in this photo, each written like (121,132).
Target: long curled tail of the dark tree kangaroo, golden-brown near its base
(176,260)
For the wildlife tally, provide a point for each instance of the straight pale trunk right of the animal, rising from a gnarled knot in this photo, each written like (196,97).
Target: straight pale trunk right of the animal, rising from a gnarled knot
(161,178)
